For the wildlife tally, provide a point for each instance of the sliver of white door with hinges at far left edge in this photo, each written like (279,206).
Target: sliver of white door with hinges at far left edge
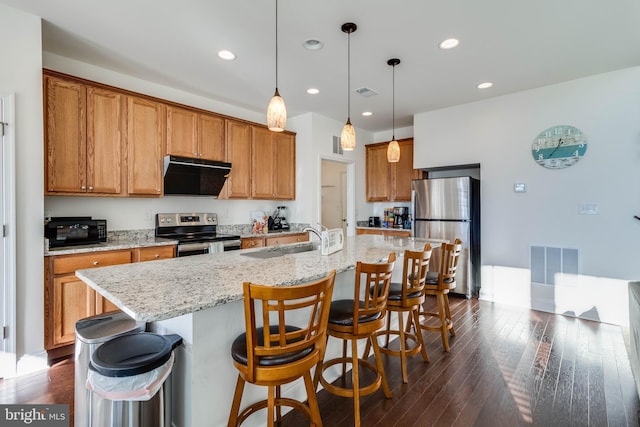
(8,246)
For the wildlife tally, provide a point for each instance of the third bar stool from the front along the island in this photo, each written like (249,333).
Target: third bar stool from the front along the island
(407,297)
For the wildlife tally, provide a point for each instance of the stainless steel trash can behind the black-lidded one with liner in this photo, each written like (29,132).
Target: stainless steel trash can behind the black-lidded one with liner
(91,333)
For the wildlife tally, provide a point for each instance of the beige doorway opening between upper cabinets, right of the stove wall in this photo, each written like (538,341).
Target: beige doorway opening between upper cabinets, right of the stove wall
(333,187)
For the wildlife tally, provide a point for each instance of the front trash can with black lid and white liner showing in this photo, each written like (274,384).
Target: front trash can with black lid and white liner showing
(133,373)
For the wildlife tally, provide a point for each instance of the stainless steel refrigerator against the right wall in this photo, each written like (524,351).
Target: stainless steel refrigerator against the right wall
(449,208)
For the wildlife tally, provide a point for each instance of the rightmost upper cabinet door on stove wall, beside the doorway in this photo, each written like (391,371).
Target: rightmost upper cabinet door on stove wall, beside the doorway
(284,185)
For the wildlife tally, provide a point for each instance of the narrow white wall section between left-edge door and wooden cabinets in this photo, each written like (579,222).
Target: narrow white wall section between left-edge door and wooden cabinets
(21,73)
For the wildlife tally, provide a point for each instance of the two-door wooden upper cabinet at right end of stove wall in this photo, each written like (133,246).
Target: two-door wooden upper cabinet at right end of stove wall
(273,159)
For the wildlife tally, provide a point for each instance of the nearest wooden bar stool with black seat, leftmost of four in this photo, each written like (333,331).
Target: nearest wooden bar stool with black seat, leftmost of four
(278,352)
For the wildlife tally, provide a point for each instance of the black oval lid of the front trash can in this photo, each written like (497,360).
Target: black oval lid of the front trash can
(133,354)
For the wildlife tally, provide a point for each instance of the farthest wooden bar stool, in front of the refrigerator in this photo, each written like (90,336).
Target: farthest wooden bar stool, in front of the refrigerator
(439,284)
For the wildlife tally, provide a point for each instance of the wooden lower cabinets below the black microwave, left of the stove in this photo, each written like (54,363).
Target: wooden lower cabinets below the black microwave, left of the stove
(68,299)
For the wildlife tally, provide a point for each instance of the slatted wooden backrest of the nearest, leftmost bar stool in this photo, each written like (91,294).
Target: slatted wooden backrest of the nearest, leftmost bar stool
(280,308)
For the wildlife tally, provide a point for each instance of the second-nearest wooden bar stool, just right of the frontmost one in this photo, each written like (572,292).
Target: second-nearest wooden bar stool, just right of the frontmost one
(354,319)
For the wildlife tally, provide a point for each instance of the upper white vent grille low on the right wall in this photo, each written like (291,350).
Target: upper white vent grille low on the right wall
(553,266)
